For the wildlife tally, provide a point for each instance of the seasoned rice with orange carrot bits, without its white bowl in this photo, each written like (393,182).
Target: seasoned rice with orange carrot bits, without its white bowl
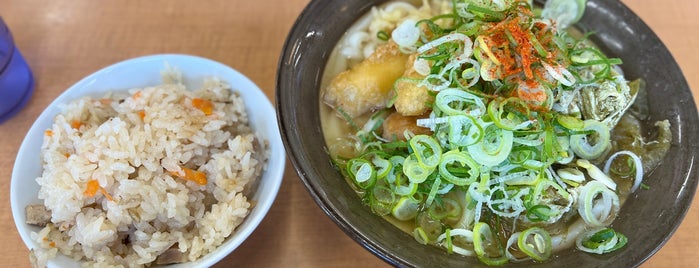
(153,175)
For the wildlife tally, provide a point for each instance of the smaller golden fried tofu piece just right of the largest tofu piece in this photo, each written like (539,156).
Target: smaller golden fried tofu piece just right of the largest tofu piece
(411,99)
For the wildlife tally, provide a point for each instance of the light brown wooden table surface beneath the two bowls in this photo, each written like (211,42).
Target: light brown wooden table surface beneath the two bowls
(64,41)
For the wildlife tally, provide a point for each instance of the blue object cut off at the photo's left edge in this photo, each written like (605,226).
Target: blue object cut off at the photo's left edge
(16,80)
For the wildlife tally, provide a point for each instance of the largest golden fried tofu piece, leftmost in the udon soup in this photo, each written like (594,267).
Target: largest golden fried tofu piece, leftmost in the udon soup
(368,85)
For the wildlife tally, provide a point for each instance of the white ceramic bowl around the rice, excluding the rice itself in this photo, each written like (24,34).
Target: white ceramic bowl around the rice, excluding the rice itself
(140,72)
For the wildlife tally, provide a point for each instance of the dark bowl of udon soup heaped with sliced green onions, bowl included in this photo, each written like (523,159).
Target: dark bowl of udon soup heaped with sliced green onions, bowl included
(474,133)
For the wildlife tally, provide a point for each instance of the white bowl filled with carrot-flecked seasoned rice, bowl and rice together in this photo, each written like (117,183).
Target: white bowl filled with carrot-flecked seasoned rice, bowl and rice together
(158,160)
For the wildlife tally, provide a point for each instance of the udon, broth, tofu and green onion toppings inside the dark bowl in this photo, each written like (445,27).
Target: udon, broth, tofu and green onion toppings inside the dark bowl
(486,129)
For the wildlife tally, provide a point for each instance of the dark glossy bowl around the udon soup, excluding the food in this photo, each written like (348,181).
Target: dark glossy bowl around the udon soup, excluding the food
(648,217)
